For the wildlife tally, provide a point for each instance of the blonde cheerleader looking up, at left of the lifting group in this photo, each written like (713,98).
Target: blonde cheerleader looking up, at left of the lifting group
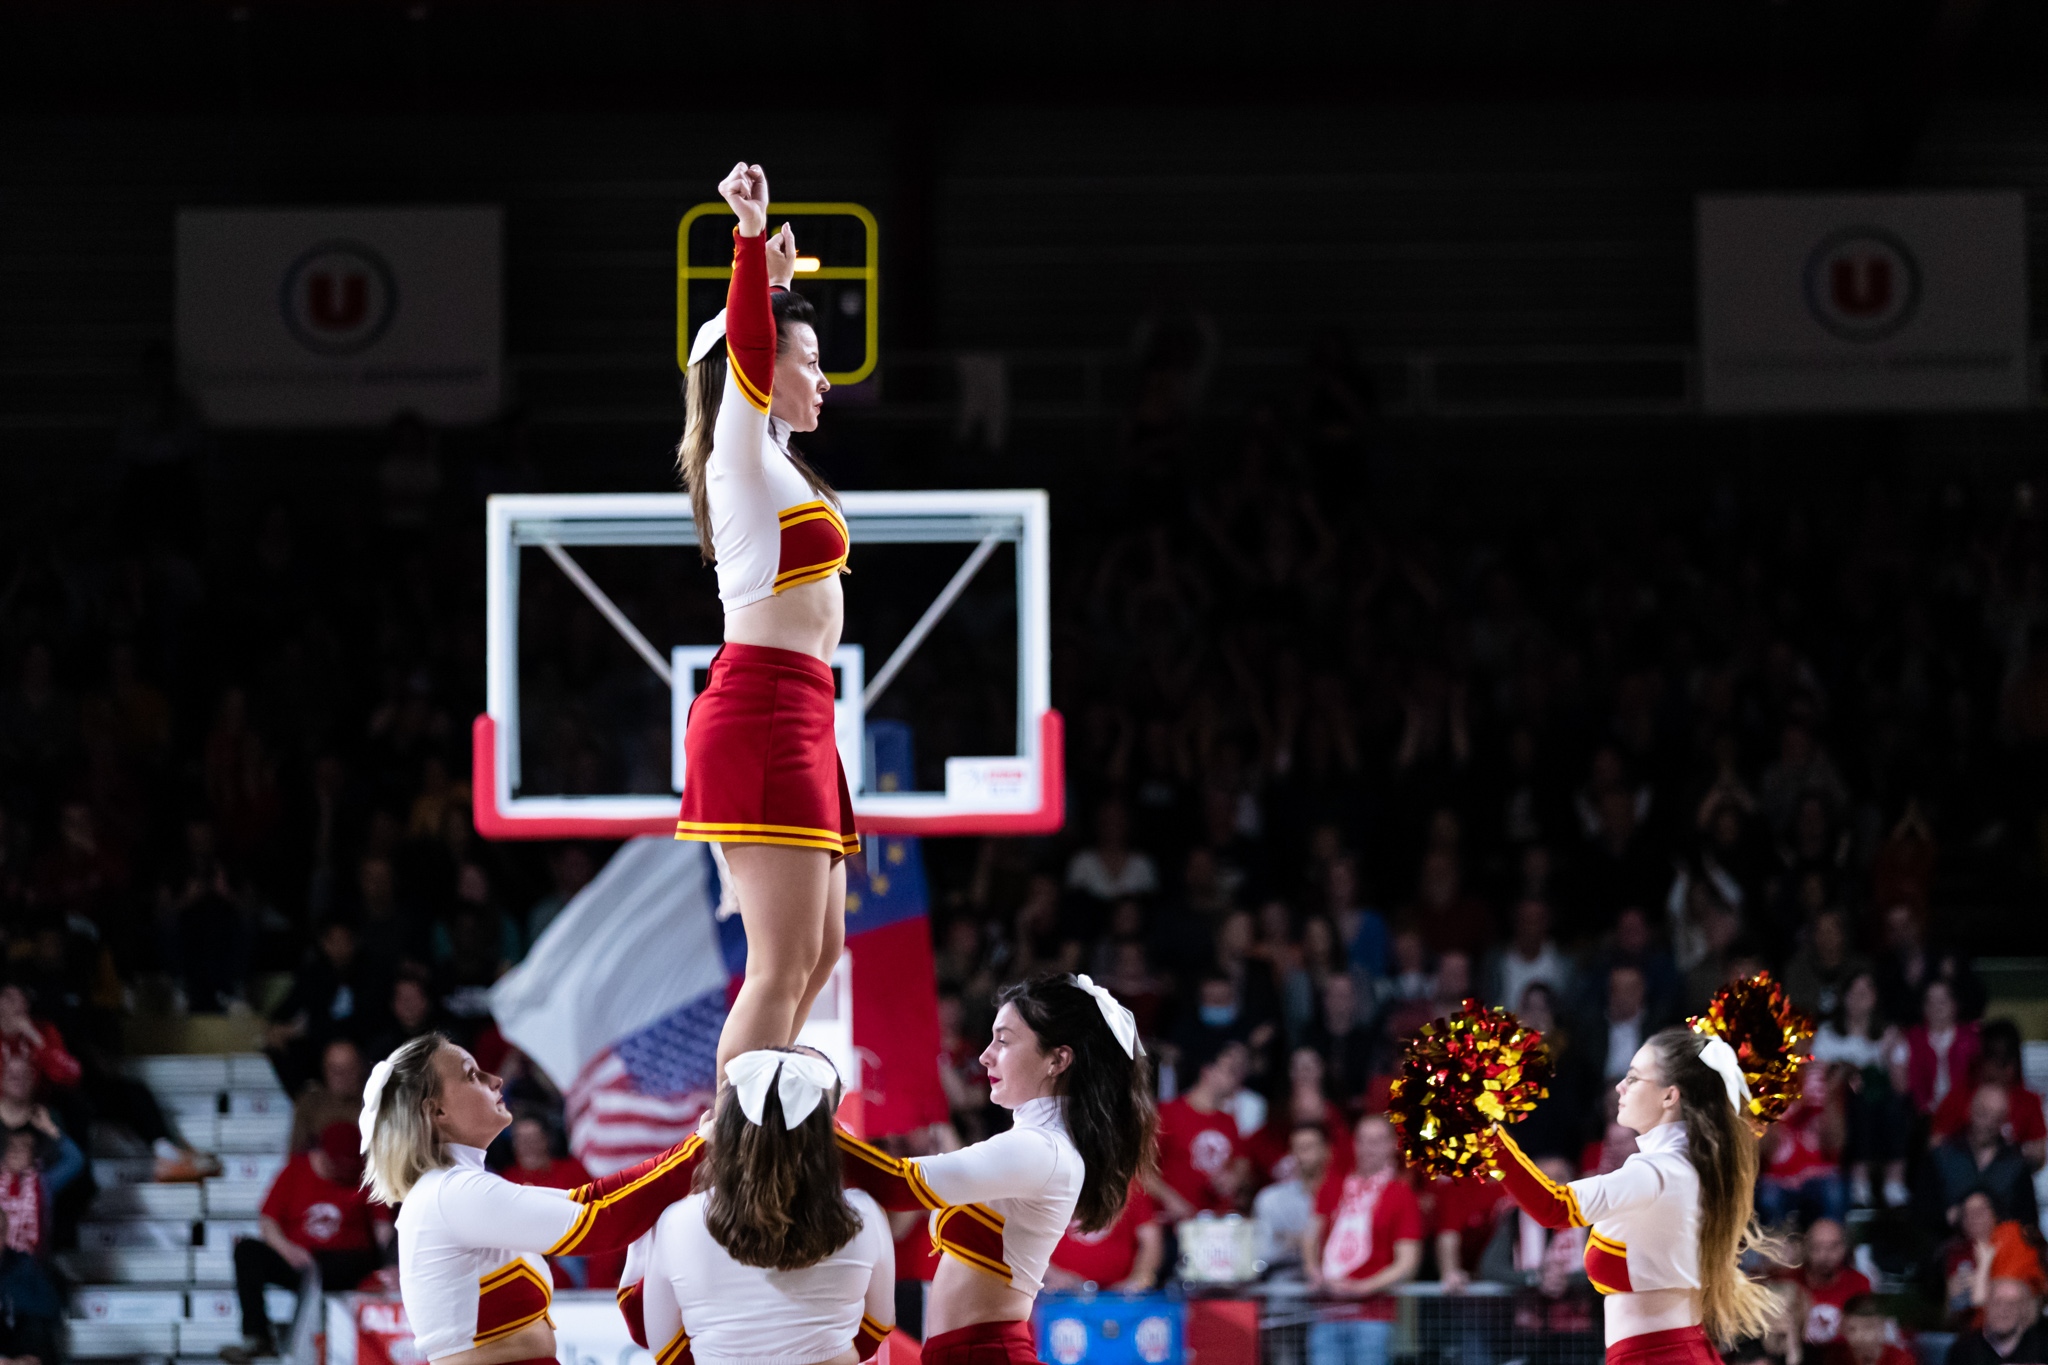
(470,1243)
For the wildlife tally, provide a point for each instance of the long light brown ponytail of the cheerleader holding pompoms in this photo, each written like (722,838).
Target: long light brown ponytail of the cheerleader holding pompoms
(1723,1153)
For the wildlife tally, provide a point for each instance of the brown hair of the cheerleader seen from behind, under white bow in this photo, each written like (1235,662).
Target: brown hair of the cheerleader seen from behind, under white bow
(777,1196)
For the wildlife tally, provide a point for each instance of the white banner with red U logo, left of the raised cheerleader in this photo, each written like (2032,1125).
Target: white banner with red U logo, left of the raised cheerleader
(341,316)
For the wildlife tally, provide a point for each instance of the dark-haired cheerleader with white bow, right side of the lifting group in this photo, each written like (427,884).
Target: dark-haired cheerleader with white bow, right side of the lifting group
(1066,1061)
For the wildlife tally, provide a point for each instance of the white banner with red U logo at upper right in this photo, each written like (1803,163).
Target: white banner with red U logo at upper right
(1863,302)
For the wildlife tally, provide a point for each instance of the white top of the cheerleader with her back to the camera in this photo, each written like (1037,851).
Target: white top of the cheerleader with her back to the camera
(740,1315)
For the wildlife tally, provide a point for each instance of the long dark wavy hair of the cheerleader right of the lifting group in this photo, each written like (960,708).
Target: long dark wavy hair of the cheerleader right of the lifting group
(1105,1096)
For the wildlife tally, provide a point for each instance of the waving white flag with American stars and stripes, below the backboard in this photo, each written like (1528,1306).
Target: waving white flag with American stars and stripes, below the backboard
(624,996)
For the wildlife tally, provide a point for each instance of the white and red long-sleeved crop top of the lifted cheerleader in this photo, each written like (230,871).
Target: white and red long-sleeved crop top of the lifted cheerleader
(769,527)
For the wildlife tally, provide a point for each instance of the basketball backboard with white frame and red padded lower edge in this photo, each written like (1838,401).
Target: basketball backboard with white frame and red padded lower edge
(921,576)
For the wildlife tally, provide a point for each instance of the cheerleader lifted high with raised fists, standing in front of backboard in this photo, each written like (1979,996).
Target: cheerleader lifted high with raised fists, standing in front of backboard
(763,779)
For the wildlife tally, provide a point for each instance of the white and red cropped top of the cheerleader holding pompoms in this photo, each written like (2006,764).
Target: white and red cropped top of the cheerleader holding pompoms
(1646,1217)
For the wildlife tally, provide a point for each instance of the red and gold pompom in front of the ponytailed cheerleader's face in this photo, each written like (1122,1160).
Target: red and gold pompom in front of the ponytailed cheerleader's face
(1461,1077)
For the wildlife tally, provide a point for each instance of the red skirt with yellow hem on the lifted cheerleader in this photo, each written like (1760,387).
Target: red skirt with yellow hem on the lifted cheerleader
(761,756)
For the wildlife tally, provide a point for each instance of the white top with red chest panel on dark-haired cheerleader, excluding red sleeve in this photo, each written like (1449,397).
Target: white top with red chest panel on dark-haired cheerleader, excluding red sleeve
(1007,1200)
